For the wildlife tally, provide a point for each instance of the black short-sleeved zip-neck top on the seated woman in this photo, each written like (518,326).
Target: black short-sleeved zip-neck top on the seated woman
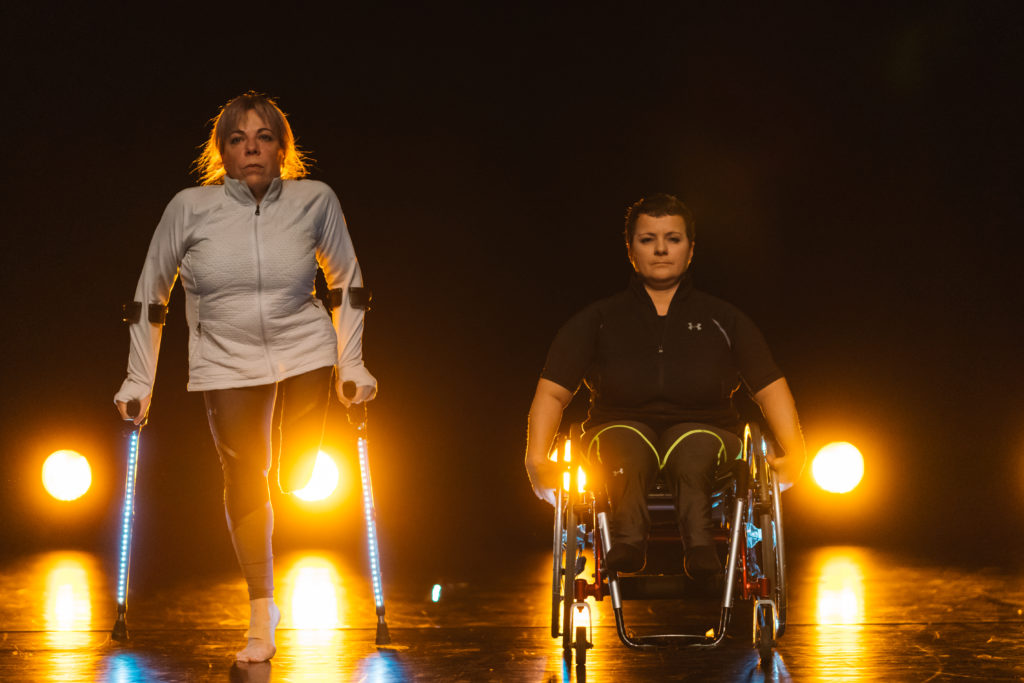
(684,367)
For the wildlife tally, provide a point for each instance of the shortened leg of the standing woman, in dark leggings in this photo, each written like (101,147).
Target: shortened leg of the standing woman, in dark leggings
(301,413)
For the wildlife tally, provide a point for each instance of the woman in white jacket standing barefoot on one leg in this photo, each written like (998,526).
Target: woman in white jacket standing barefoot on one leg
(247,245)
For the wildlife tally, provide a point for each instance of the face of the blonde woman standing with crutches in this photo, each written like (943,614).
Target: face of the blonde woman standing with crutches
(253,154)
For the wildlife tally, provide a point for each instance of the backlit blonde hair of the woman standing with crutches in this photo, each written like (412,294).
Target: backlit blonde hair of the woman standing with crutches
(210,166)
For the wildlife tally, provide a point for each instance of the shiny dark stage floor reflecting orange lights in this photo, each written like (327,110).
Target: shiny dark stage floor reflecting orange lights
(857,615)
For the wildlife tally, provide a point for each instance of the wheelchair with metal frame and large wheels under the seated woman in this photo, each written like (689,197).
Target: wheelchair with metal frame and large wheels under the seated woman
(748,516)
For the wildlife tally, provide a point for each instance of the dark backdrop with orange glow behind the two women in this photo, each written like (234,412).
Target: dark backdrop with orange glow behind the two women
(855,169)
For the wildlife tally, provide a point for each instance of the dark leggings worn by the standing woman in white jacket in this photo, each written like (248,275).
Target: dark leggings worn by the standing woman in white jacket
(243,422)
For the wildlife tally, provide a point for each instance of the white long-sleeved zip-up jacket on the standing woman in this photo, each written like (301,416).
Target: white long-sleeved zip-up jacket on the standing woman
(248,272)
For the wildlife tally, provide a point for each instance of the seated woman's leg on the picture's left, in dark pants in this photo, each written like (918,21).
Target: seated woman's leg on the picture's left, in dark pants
(627,455)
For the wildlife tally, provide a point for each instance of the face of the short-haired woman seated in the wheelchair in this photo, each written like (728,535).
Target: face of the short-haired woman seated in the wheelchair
(661,252)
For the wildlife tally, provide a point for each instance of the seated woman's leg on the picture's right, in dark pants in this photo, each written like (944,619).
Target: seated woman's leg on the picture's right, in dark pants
(694,452)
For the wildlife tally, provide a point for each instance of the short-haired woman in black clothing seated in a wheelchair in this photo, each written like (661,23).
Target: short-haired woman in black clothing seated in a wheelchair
(662,361)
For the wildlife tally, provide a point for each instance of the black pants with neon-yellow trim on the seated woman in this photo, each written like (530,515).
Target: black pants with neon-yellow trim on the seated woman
(631,454)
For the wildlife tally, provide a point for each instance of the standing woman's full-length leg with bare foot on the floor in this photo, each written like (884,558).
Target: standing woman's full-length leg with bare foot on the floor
(240,422)
